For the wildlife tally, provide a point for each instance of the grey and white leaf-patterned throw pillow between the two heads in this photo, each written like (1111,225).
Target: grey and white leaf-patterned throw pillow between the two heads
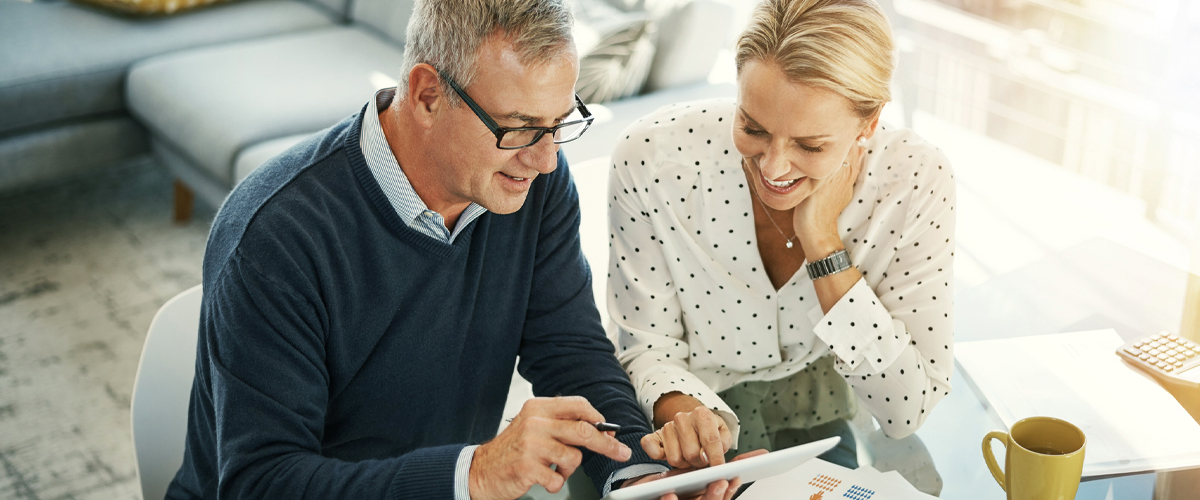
(616,49)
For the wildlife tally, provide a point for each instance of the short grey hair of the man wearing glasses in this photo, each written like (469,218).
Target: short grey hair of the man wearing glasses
(448,34)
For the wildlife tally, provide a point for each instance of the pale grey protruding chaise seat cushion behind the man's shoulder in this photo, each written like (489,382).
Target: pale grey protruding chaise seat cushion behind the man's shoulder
(213,103)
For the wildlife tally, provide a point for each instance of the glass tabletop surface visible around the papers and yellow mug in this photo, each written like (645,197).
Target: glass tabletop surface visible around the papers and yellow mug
(1095,286)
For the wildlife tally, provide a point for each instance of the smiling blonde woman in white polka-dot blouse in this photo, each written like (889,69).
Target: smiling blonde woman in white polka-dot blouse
(730,341)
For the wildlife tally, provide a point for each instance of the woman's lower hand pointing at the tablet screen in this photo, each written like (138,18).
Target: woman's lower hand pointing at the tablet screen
(692,439)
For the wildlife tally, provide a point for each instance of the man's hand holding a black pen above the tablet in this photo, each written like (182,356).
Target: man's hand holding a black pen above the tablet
(545,433)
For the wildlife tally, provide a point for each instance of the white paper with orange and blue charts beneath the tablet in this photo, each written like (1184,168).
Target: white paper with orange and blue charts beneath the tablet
(820,480)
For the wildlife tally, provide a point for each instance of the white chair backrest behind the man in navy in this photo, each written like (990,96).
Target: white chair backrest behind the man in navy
(163,390)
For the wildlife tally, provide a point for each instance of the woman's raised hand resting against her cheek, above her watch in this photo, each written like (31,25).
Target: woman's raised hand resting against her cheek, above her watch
(815,220)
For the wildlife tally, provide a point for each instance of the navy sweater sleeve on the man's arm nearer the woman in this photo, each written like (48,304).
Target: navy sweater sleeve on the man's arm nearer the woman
(565,351)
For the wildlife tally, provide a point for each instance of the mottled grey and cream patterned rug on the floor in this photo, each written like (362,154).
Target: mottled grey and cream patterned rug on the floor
(85,266)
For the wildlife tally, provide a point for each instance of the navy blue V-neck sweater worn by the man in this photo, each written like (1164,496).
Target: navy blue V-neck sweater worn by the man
(345,356)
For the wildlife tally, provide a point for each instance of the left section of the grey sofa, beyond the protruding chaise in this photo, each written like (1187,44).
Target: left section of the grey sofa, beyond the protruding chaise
(64,67)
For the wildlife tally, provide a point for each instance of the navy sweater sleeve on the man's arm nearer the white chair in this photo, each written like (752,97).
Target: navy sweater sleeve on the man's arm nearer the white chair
(262,352)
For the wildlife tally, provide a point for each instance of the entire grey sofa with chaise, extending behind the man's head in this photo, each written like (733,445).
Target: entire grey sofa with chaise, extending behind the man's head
(215,93)
